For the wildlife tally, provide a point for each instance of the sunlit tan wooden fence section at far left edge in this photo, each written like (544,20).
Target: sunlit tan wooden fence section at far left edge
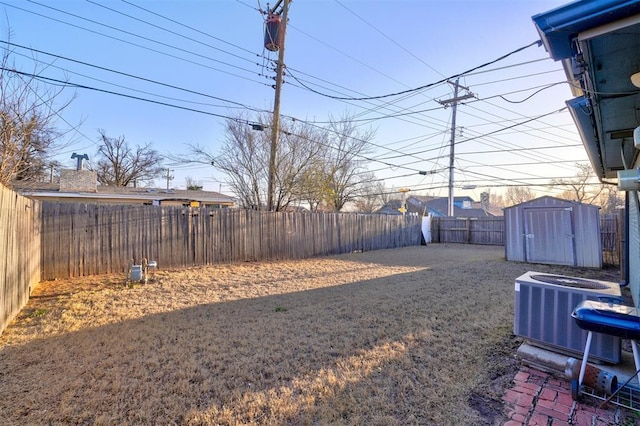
(19,252)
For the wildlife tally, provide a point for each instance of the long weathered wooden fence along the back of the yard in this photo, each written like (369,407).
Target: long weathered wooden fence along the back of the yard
(91,239)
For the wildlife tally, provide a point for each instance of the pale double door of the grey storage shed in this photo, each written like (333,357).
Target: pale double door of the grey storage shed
(549,236)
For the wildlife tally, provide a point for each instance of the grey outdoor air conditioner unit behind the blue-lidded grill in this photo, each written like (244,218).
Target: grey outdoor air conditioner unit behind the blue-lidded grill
(542,314)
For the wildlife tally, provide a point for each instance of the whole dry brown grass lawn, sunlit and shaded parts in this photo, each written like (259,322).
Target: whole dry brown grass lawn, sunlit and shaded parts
(419,335)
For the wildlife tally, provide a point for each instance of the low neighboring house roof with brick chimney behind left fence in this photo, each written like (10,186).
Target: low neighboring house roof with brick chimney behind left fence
(81,186)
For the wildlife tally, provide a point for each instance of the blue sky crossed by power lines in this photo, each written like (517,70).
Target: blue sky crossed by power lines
(345,48)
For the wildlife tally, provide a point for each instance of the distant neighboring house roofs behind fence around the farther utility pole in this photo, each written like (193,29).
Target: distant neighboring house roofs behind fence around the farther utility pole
(436,206)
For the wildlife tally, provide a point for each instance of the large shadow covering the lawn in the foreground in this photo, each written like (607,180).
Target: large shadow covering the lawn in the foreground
(404,349)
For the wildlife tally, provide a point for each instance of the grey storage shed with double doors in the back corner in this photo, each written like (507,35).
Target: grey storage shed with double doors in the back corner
(553,231)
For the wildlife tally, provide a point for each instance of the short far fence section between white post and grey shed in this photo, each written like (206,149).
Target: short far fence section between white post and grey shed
(483,230)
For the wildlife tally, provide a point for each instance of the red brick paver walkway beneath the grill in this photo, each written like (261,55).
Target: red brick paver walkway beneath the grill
(539,398)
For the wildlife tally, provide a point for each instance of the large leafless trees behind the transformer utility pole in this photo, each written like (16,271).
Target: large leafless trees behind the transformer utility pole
(313,165)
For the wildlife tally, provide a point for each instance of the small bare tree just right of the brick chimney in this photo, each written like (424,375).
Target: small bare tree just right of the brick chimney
(120,165)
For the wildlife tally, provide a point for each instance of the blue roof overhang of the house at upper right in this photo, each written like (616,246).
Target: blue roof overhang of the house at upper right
(598,42)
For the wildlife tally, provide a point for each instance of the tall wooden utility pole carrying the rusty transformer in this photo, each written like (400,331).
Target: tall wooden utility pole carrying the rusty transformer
(276,104)
